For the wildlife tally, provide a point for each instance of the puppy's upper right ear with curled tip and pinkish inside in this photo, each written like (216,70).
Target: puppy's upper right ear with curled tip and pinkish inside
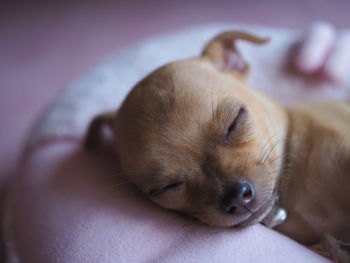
(222,51)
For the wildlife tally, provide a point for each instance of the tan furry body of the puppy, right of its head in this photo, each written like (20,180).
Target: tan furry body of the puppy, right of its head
(315,191)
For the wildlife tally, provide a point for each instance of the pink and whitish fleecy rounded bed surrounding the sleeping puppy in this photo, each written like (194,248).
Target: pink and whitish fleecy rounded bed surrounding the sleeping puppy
(67,205)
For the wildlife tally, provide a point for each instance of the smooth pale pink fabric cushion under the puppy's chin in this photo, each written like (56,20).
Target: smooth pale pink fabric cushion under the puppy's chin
(73,206)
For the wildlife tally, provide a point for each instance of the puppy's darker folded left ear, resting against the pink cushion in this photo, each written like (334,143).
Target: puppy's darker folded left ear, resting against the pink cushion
(94,133)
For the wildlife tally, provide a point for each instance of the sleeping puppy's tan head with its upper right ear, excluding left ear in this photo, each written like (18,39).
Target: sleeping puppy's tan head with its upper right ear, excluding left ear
(194,138)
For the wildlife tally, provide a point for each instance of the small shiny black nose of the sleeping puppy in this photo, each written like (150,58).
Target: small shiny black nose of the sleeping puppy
(242,193)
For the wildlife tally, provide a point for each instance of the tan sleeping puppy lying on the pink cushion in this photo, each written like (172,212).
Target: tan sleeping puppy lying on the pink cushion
(194,138)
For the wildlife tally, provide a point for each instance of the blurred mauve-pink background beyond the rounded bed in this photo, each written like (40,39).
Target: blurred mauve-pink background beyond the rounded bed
(44,46)
